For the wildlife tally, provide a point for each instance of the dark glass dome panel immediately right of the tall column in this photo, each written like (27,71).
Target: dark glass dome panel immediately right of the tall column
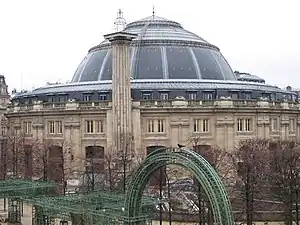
(149,64)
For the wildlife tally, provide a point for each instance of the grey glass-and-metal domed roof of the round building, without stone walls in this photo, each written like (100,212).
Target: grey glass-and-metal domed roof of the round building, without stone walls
(163,58)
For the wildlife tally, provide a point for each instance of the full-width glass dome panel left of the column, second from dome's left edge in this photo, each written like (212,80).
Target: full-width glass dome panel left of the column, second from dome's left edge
(92,68)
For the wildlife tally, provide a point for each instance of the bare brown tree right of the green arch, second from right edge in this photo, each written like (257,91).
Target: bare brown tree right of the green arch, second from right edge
(251,160)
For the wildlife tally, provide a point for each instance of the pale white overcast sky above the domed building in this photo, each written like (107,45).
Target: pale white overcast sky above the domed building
(45,40)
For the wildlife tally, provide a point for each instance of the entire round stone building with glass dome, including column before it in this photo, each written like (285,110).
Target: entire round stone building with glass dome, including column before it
(159,85)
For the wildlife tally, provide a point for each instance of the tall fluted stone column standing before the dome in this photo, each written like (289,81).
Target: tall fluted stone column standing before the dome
(121,89)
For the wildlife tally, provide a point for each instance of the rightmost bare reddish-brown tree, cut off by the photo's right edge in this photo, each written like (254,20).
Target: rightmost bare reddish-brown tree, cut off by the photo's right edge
(284,176)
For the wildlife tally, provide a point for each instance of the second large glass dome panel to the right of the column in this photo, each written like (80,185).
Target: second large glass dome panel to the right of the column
(180,64)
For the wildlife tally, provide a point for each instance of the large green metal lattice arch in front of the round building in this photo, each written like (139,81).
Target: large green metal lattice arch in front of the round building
(197,165)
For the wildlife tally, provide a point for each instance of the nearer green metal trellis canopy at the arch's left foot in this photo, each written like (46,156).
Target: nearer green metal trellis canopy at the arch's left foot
(93,208)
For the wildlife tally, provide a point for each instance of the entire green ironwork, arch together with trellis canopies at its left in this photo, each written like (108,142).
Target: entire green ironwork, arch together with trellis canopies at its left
(106,207)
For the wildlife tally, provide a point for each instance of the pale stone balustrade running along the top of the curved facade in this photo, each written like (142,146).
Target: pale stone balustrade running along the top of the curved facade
(220,103)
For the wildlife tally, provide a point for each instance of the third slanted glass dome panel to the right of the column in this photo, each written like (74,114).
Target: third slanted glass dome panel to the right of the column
(207,64)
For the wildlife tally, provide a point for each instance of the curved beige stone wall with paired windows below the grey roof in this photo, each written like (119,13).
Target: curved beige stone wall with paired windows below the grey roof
(164,123)
